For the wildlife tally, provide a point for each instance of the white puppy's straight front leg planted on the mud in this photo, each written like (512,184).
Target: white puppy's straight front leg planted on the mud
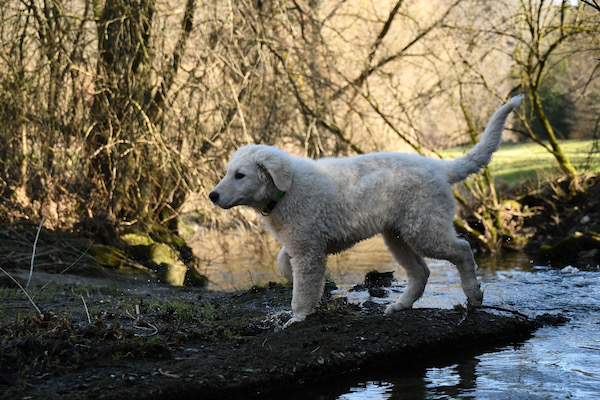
(309,282)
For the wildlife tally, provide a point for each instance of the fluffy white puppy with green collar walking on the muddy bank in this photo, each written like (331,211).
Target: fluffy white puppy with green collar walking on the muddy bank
(315,208)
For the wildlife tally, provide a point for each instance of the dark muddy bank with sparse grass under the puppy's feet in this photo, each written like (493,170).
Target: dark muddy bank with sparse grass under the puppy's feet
(191,343)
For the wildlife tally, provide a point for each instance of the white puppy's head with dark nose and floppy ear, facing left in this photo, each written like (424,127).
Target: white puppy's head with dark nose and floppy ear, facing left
(253,177)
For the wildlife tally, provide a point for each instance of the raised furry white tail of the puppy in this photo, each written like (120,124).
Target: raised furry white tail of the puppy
(481,154)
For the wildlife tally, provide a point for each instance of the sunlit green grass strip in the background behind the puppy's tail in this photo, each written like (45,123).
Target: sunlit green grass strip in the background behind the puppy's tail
(518,162)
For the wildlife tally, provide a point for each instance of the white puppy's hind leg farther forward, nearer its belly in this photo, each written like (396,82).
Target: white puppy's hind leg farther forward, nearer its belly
(415,267)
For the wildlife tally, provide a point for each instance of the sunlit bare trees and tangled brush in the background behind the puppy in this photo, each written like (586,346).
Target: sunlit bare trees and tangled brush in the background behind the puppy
(127,111)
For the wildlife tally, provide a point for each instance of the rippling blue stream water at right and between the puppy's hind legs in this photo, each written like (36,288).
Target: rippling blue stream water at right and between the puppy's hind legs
(556,363)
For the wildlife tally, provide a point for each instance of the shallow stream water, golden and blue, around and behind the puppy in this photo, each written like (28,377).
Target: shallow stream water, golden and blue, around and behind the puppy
(556,363)
